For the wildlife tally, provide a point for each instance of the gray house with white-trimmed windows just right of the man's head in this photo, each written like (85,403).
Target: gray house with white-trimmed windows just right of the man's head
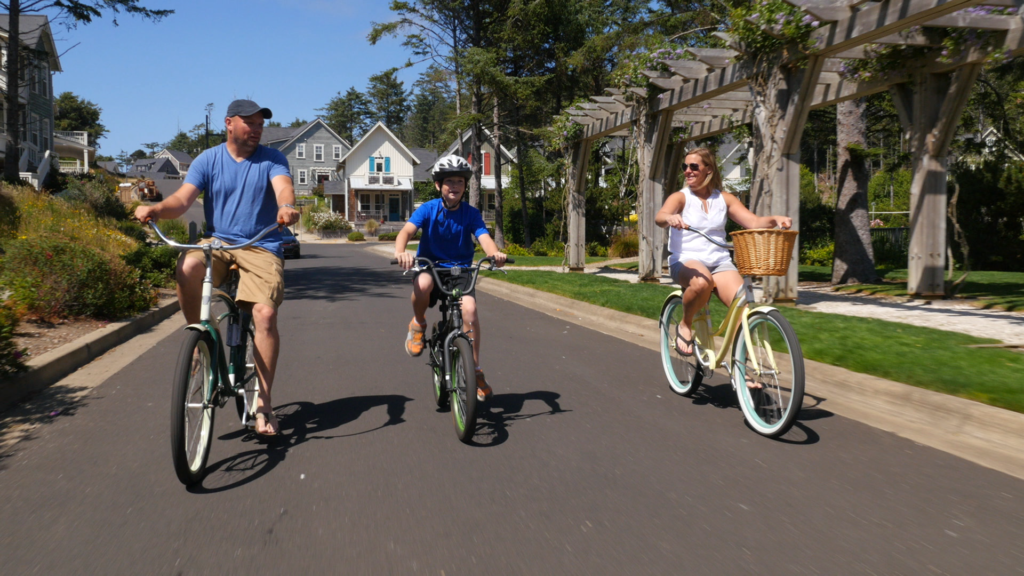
(314,153)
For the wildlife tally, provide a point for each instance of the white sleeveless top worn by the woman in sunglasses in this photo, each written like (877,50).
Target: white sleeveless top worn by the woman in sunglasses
(686,245)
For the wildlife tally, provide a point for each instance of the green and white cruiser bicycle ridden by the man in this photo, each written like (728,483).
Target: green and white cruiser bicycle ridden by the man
(207,378)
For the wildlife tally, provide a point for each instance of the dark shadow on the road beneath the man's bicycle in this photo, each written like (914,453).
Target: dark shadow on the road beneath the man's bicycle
(301,423)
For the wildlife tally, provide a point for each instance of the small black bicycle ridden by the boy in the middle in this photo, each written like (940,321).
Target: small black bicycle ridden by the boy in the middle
(450,348)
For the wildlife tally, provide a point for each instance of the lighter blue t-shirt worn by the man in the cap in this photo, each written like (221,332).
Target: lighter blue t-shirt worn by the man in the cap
(240,201)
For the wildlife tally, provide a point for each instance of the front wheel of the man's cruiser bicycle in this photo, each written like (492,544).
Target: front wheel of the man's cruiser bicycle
(192,428)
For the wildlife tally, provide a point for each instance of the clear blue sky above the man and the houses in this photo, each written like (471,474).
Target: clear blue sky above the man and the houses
(289,56)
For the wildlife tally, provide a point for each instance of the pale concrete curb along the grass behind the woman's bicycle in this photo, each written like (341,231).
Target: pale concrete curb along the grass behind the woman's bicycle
(985,435)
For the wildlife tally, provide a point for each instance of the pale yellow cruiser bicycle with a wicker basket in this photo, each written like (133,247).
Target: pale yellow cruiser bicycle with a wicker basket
(767,364)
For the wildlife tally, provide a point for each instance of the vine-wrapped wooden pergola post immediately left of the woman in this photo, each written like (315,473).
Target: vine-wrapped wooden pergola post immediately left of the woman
(653,179)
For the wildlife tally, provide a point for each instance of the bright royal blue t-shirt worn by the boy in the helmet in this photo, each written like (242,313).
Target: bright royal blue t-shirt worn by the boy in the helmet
(448,235)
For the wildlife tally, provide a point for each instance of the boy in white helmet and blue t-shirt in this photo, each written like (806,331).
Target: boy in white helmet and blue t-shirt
(449,227)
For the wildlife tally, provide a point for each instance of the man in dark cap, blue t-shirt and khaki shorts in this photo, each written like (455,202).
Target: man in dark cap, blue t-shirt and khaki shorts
(247,188)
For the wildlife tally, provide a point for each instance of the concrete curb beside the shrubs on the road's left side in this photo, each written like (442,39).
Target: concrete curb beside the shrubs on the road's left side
(55,365)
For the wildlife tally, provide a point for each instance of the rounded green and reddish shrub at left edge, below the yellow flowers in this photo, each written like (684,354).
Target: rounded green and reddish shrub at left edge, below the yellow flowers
(54,278)
